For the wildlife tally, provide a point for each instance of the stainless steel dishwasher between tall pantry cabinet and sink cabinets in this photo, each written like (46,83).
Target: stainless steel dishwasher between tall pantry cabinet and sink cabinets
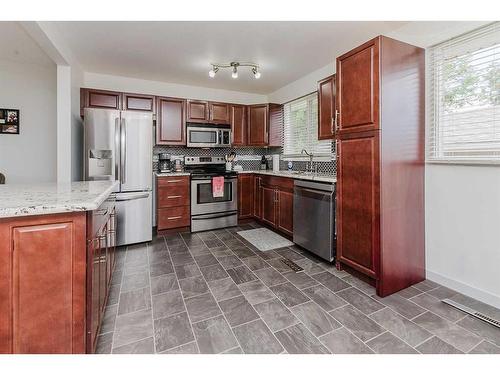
(314,218)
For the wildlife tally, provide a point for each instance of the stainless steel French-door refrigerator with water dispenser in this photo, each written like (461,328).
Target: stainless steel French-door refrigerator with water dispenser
(119,146)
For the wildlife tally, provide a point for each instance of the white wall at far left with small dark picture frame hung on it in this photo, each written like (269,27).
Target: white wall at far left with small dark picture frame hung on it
(31,155)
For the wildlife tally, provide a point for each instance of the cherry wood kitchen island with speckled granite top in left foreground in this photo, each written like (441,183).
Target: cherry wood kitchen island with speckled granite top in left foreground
(56,260)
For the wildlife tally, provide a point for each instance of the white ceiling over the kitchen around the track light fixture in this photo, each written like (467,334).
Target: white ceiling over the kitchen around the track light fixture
(181,52)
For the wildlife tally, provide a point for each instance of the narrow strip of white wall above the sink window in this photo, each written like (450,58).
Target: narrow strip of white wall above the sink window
(302,86)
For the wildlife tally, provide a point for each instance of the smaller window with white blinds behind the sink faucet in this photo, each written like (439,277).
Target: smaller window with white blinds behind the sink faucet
(301,130)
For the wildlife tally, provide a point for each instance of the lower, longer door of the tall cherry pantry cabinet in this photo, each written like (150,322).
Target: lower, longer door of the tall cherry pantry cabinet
(358,200)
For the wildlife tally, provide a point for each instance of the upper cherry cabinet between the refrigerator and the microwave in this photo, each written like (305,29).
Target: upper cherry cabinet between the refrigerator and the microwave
(170,121)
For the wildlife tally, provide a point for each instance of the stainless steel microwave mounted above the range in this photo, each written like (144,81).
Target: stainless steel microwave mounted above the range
(213,136)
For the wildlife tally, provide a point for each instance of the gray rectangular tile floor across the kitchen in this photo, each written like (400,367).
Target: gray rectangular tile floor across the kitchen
(213,292)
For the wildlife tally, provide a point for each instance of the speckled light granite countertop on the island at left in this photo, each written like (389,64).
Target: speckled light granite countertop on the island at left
(51,198)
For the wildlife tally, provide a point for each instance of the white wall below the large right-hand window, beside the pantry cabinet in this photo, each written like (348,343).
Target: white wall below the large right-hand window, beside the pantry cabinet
(462,223)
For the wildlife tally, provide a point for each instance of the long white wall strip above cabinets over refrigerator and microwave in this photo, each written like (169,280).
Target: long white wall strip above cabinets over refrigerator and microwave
(126,84)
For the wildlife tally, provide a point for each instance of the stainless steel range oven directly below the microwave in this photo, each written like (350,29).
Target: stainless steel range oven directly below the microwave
(209,212)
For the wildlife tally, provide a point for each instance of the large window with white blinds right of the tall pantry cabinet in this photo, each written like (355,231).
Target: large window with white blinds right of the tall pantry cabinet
(465,98)
